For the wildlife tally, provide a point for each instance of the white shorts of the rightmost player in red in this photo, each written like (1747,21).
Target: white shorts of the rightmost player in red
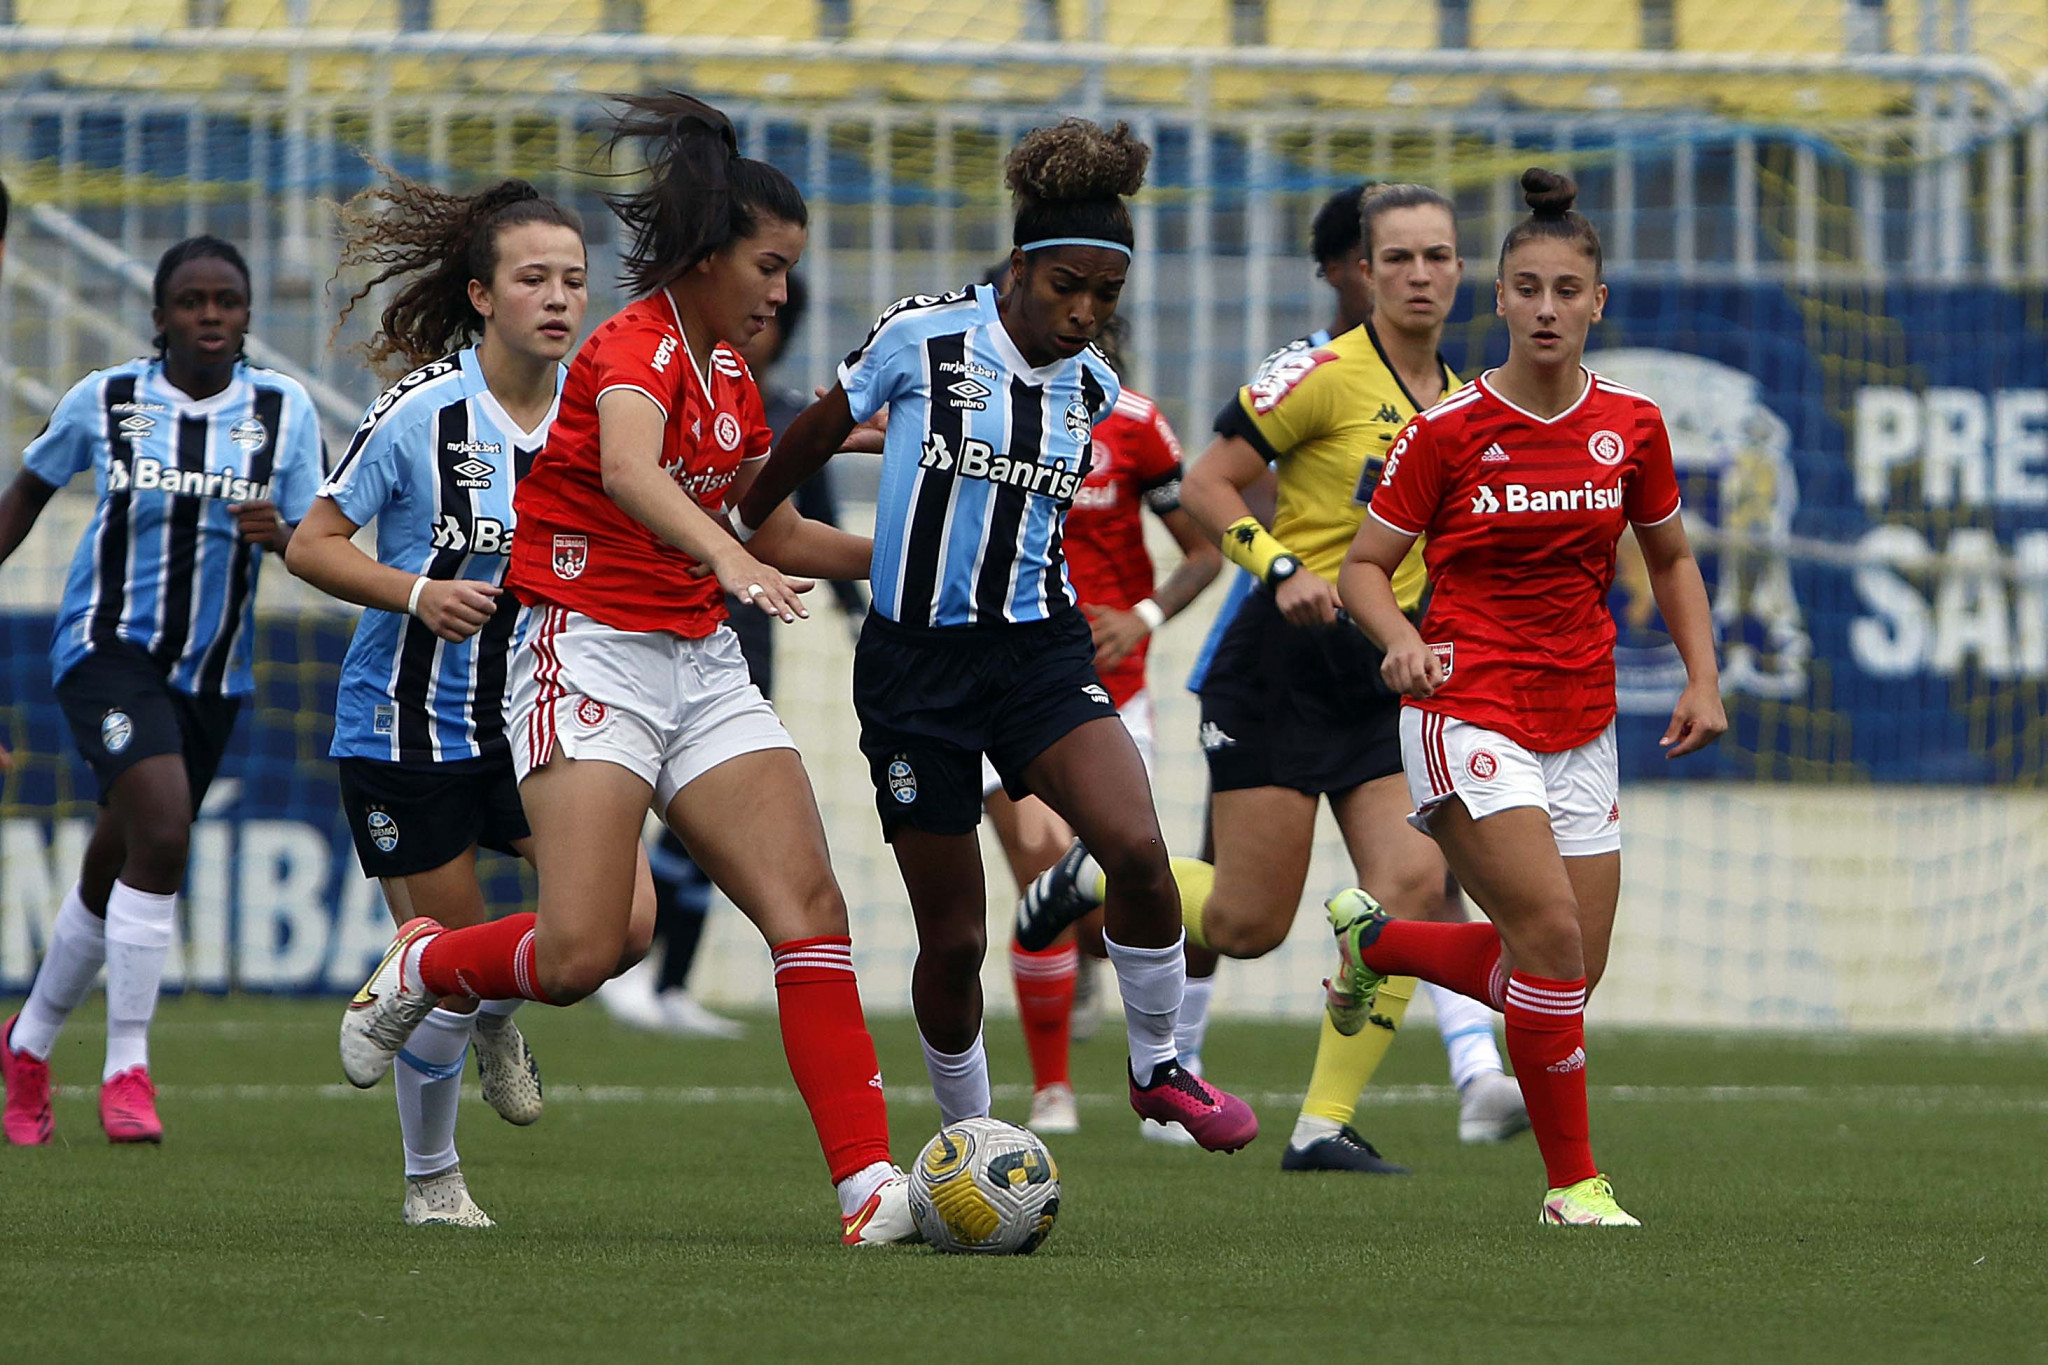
(1580,789)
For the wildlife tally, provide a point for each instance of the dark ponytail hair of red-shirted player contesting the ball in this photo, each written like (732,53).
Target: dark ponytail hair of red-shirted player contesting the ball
(701,193)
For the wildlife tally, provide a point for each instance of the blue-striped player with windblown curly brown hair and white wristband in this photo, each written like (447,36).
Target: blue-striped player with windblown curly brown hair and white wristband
(490,304)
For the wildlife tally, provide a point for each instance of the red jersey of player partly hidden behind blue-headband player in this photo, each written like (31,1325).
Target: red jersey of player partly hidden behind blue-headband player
(1136,461)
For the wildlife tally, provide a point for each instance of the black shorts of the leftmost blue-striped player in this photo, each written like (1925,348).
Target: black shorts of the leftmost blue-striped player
(124,711)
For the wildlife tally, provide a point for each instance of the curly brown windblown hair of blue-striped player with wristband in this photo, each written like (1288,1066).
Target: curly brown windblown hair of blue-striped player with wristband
(404,228)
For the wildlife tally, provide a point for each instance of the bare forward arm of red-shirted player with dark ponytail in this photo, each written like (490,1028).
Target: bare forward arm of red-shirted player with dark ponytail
(630,447)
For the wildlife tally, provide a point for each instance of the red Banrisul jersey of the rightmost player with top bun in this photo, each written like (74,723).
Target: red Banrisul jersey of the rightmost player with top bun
(1523,519)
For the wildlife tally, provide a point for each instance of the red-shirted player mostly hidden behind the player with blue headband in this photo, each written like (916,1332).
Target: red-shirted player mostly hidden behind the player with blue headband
(1138,464)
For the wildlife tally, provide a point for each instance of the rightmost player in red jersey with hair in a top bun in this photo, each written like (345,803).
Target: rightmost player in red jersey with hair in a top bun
(1523,484)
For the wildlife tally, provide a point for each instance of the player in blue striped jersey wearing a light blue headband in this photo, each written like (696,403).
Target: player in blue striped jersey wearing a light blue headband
(976,646)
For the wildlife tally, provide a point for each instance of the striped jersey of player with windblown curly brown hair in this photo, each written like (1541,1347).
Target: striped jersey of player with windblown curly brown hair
(435,464)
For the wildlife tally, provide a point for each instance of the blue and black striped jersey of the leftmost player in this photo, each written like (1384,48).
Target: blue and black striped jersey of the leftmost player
(163,564)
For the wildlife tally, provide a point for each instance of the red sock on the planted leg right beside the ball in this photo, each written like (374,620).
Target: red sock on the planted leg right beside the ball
(830,1051)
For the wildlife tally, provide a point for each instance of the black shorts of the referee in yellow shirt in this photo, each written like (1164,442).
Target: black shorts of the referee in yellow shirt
(1297,707)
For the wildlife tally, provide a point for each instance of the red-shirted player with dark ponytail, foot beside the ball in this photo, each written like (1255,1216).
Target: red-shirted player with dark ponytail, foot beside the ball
(632,691)
